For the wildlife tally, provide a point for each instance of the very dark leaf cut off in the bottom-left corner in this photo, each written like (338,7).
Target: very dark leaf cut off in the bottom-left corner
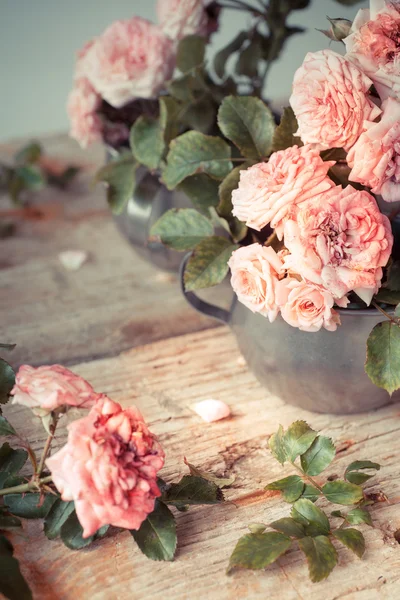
(12,582)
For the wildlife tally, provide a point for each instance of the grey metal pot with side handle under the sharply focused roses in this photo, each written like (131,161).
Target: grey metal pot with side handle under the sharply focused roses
(321,372)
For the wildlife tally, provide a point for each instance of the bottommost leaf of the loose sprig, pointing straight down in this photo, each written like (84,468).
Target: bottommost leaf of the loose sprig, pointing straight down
(321,556)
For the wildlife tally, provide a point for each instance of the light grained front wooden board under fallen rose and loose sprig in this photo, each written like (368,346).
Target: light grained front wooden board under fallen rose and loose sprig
(164,379)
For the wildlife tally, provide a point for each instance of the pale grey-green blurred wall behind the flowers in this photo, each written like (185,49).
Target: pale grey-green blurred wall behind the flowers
(38,40)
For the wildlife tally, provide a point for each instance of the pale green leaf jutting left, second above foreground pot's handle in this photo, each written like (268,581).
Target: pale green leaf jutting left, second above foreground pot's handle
(181,228)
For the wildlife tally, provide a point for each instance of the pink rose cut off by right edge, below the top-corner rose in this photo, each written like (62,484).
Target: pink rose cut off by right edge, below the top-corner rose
(375,157)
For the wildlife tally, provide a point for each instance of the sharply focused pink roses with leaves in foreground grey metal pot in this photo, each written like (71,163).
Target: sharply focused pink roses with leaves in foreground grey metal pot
(312,255)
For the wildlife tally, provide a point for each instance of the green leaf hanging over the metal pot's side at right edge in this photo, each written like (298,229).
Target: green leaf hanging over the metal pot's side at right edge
(383,356)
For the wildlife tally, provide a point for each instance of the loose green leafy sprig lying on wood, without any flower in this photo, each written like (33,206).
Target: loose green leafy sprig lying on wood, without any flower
(308,526)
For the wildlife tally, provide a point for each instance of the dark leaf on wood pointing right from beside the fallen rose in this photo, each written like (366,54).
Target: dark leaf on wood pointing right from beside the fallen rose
(193,490)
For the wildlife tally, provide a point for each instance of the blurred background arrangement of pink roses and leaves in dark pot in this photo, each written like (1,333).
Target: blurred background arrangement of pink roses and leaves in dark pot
(138,85)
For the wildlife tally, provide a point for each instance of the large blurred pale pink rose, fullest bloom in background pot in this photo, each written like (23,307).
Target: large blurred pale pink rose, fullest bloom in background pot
(131,59)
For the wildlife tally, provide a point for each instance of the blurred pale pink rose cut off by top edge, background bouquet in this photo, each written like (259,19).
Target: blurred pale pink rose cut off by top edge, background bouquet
(179,18)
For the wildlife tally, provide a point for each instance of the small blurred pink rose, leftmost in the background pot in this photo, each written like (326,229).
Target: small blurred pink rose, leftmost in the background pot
(83,104)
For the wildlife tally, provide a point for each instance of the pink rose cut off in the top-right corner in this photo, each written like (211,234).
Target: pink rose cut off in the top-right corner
(374,46)
